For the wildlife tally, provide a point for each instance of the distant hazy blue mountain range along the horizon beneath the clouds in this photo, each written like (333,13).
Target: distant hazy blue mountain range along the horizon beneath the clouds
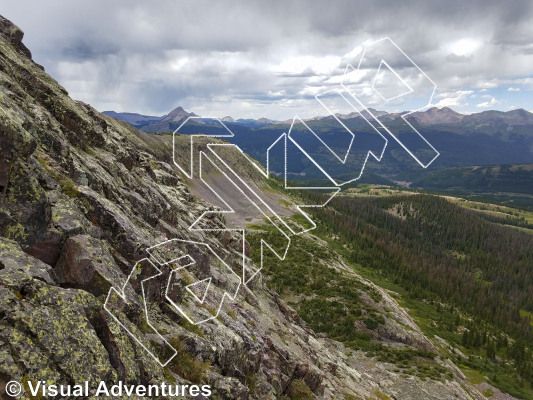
(480,139)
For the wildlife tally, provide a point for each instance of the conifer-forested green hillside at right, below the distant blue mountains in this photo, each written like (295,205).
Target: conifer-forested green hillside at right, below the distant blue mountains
(434,252)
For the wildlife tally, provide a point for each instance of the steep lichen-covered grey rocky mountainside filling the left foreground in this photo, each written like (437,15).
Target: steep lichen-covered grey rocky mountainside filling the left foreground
(82,196)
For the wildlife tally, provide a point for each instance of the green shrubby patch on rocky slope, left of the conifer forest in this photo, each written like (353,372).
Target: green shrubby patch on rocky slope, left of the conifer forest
(335,303)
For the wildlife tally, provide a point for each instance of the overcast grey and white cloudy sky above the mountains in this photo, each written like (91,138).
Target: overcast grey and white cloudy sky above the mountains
(252,59)
